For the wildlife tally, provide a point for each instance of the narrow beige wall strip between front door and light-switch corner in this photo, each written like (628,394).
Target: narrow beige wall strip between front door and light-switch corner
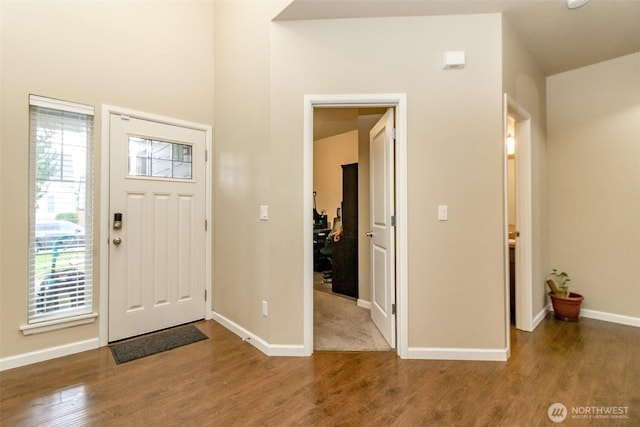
(243,177)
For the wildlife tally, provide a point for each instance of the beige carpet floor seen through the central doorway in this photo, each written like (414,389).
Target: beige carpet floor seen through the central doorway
(340,325)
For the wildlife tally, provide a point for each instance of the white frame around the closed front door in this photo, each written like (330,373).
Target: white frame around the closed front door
(105,181)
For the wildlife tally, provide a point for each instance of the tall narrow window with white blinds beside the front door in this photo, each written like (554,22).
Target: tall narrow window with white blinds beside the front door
(61,209)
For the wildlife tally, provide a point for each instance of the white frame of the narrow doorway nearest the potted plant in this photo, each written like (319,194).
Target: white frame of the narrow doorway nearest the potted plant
(523,190)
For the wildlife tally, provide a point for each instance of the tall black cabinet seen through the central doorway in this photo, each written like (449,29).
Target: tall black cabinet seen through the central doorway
(345,252)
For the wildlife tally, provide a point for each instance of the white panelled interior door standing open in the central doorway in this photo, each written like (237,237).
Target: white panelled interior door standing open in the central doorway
(382,234)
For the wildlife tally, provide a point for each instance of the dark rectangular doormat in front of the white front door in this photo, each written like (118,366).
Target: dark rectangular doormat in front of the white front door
(156,343)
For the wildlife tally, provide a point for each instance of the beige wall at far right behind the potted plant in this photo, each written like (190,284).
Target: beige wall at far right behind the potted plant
(594,182)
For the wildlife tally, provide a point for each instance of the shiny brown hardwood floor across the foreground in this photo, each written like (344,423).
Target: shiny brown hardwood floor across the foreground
(225,381)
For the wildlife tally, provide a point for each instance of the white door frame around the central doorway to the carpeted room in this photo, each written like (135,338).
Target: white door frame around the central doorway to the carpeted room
(398,101)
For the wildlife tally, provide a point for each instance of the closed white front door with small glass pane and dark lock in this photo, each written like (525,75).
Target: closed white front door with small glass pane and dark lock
(157,250)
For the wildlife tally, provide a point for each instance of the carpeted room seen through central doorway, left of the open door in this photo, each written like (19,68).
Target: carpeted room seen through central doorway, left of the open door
(341,248)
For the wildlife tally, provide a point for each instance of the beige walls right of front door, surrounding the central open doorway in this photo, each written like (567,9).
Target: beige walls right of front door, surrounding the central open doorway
(455,265)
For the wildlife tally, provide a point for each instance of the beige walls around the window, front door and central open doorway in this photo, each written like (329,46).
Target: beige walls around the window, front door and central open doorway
(262,71)
